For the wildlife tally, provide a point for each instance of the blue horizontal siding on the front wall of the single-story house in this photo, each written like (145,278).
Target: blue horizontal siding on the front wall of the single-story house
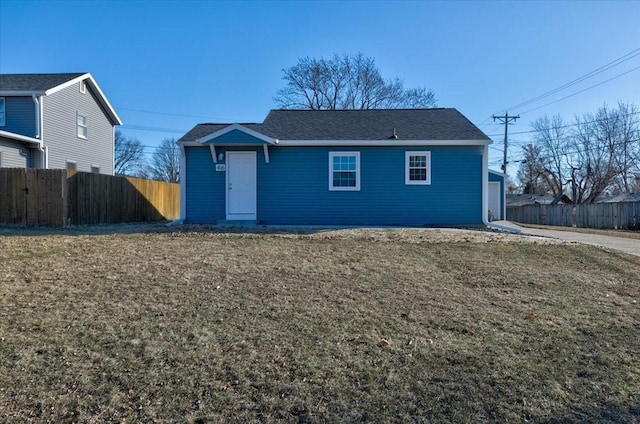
(294,188)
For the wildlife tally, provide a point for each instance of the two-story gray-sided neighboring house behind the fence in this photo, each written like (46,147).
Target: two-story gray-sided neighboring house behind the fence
(61,121)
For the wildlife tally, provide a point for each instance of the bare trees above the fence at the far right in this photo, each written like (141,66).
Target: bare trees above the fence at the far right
(587,158)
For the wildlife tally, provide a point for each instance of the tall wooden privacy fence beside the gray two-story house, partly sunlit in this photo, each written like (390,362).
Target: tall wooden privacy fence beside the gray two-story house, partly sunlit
(57,198)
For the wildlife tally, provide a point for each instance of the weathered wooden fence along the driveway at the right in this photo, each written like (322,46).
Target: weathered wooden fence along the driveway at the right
(622,215)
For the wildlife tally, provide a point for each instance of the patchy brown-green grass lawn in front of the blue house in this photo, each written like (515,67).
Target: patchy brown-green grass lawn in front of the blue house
(376,326)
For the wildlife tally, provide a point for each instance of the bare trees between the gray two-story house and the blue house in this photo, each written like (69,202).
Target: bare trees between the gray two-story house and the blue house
(130,160)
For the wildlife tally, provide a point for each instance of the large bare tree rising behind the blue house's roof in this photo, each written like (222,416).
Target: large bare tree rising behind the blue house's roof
(346,82)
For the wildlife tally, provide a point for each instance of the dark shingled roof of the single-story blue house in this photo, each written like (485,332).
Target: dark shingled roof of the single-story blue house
(372,124)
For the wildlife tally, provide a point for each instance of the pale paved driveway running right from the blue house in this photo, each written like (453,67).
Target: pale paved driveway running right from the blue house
(627,245)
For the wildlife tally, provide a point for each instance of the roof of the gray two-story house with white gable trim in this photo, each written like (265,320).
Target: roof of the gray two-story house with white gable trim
(47,84)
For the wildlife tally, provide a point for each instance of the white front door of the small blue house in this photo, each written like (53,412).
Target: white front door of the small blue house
(241,185)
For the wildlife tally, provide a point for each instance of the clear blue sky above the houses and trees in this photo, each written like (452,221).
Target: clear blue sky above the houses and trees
(167,65)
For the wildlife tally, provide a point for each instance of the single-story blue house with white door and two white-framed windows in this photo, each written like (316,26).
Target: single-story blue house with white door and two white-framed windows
(409,167)
